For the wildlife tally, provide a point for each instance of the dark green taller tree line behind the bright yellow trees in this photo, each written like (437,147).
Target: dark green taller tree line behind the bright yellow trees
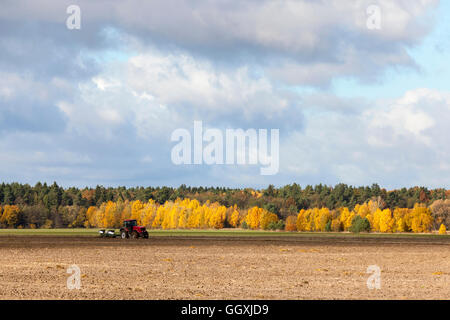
(45,205)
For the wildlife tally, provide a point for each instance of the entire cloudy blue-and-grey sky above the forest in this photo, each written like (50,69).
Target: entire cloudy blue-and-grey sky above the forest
(353,104)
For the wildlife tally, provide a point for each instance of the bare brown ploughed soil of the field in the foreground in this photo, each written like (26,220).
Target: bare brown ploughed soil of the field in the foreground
(34,267)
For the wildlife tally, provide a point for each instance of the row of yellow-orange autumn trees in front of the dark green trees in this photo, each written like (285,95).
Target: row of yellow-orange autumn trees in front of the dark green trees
(191,214)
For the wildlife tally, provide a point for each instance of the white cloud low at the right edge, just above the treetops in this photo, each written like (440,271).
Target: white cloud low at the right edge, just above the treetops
(403,142)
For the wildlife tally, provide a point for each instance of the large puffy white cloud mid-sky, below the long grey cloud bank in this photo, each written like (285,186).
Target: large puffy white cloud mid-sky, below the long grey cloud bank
(153,93)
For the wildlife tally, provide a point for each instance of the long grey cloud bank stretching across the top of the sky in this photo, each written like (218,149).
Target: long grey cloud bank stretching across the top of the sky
(302,42)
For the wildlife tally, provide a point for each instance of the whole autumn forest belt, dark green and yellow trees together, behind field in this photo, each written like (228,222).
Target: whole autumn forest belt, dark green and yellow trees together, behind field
(314,208)
